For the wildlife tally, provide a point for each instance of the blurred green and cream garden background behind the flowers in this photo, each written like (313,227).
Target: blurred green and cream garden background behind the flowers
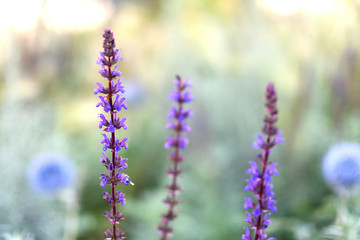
(229,50)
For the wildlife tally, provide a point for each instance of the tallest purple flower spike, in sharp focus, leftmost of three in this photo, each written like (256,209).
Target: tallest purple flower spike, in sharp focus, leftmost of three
(112,102)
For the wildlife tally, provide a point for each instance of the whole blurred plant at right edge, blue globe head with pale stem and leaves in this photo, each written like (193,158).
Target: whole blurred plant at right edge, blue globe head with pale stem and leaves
(341,169)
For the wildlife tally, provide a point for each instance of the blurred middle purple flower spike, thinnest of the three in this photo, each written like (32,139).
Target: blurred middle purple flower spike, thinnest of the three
(177,117)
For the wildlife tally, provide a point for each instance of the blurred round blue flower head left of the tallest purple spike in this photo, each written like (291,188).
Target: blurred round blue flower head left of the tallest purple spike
(49,173)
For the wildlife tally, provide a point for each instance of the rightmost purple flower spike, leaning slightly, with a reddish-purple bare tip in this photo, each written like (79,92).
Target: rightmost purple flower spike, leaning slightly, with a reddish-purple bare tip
(260,179)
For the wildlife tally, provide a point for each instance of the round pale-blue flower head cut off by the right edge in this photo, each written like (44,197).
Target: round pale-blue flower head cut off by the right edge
(341,166)
